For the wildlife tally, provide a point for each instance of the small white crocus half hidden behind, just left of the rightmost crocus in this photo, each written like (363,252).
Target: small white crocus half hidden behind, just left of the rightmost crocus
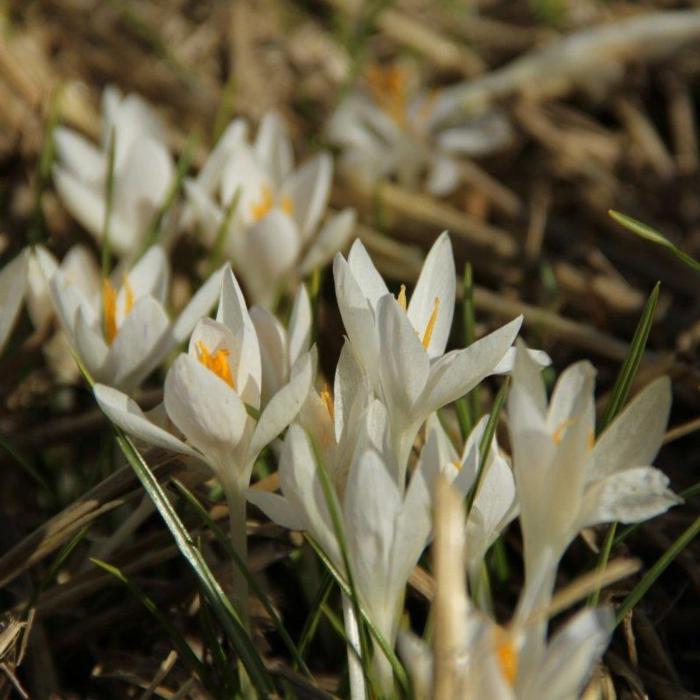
(494,505)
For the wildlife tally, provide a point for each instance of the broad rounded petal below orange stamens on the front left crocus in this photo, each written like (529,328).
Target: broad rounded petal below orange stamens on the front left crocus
(206,410)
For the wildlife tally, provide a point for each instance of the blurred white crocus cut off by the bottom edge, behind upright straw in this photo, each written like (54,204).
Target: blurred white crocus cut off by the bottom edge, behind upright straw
(490,659)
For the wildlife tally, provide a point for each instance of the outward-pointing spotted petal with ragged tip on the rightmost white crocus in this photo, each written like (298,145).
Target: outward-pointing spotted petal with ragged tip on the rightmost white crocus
(629,496)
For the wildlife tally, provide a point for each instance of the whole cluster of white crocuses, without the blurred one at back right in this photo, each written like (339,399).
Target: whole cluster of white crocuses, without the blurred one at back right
(245,380)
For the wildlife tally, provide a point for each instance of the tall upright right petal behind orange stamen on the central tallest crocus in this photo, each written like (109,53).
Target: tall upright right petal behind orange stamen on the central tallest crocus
(437,281)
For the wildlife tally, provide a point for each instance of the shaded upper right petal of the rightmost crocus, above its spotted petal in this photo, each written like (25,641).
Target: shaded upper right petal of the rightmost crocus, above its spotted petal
(635,436)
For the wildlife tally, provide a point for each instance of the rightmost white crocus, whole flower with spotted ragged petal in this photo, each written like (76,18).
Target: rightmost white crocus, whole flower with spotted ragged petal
(566,479)
